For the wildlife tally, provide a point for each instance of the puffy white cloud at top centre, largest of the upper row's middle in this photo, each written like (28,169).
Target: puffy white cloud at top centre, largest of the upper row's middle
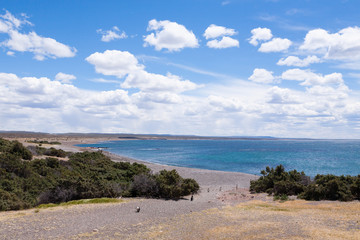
(169,35)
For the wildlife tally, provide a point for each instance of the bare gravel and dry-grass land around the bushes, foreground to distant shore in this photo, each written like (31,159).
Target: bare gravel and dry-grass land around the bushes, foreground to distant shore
(224,208)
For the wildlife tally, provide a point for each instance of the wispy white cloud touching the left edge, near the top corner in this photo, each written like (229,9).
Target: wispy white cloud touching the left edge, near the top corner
(41,47)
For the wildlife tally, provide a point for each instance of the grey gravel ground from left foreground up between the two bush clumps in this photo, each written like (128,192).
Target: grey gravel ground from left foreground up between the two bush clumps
(120,220)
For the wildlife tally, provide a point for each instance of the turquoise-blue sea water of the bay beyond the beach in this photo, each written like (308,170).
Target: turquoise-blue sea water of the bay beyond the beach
(339,157)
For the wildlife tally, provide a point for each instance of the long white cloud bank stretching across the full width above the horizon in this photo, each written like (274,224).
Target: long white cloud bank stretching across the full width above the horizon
(241,108)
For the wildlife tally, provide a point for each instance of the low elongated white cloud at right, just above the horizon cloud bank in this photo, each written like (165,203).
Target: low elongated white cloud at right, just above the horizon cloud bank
(309,78)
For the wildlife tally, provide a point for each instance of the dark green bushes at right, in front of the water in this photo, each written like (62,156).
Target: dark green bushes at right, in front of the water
(323,187)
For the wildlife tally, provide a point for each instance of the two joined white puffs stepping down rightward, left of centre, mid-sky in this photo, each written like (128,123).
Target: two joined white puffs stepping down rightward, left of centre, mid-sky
(124,64)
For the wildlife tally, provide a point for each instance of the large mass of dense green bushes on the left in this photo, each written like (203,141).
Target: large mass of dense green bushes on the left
(26,183)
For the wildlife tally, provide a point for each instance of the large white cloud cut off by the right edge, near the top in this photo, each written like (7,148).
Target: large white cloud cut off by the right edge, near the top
(343,45)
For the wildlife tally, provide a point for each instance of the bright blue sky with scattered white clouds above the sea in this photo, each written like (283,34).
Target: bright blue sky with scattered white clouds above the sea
(276,68)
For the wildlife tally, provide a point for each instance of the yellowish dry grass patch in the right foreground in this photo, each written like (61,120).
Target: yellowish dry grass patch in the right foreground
(265,220)
